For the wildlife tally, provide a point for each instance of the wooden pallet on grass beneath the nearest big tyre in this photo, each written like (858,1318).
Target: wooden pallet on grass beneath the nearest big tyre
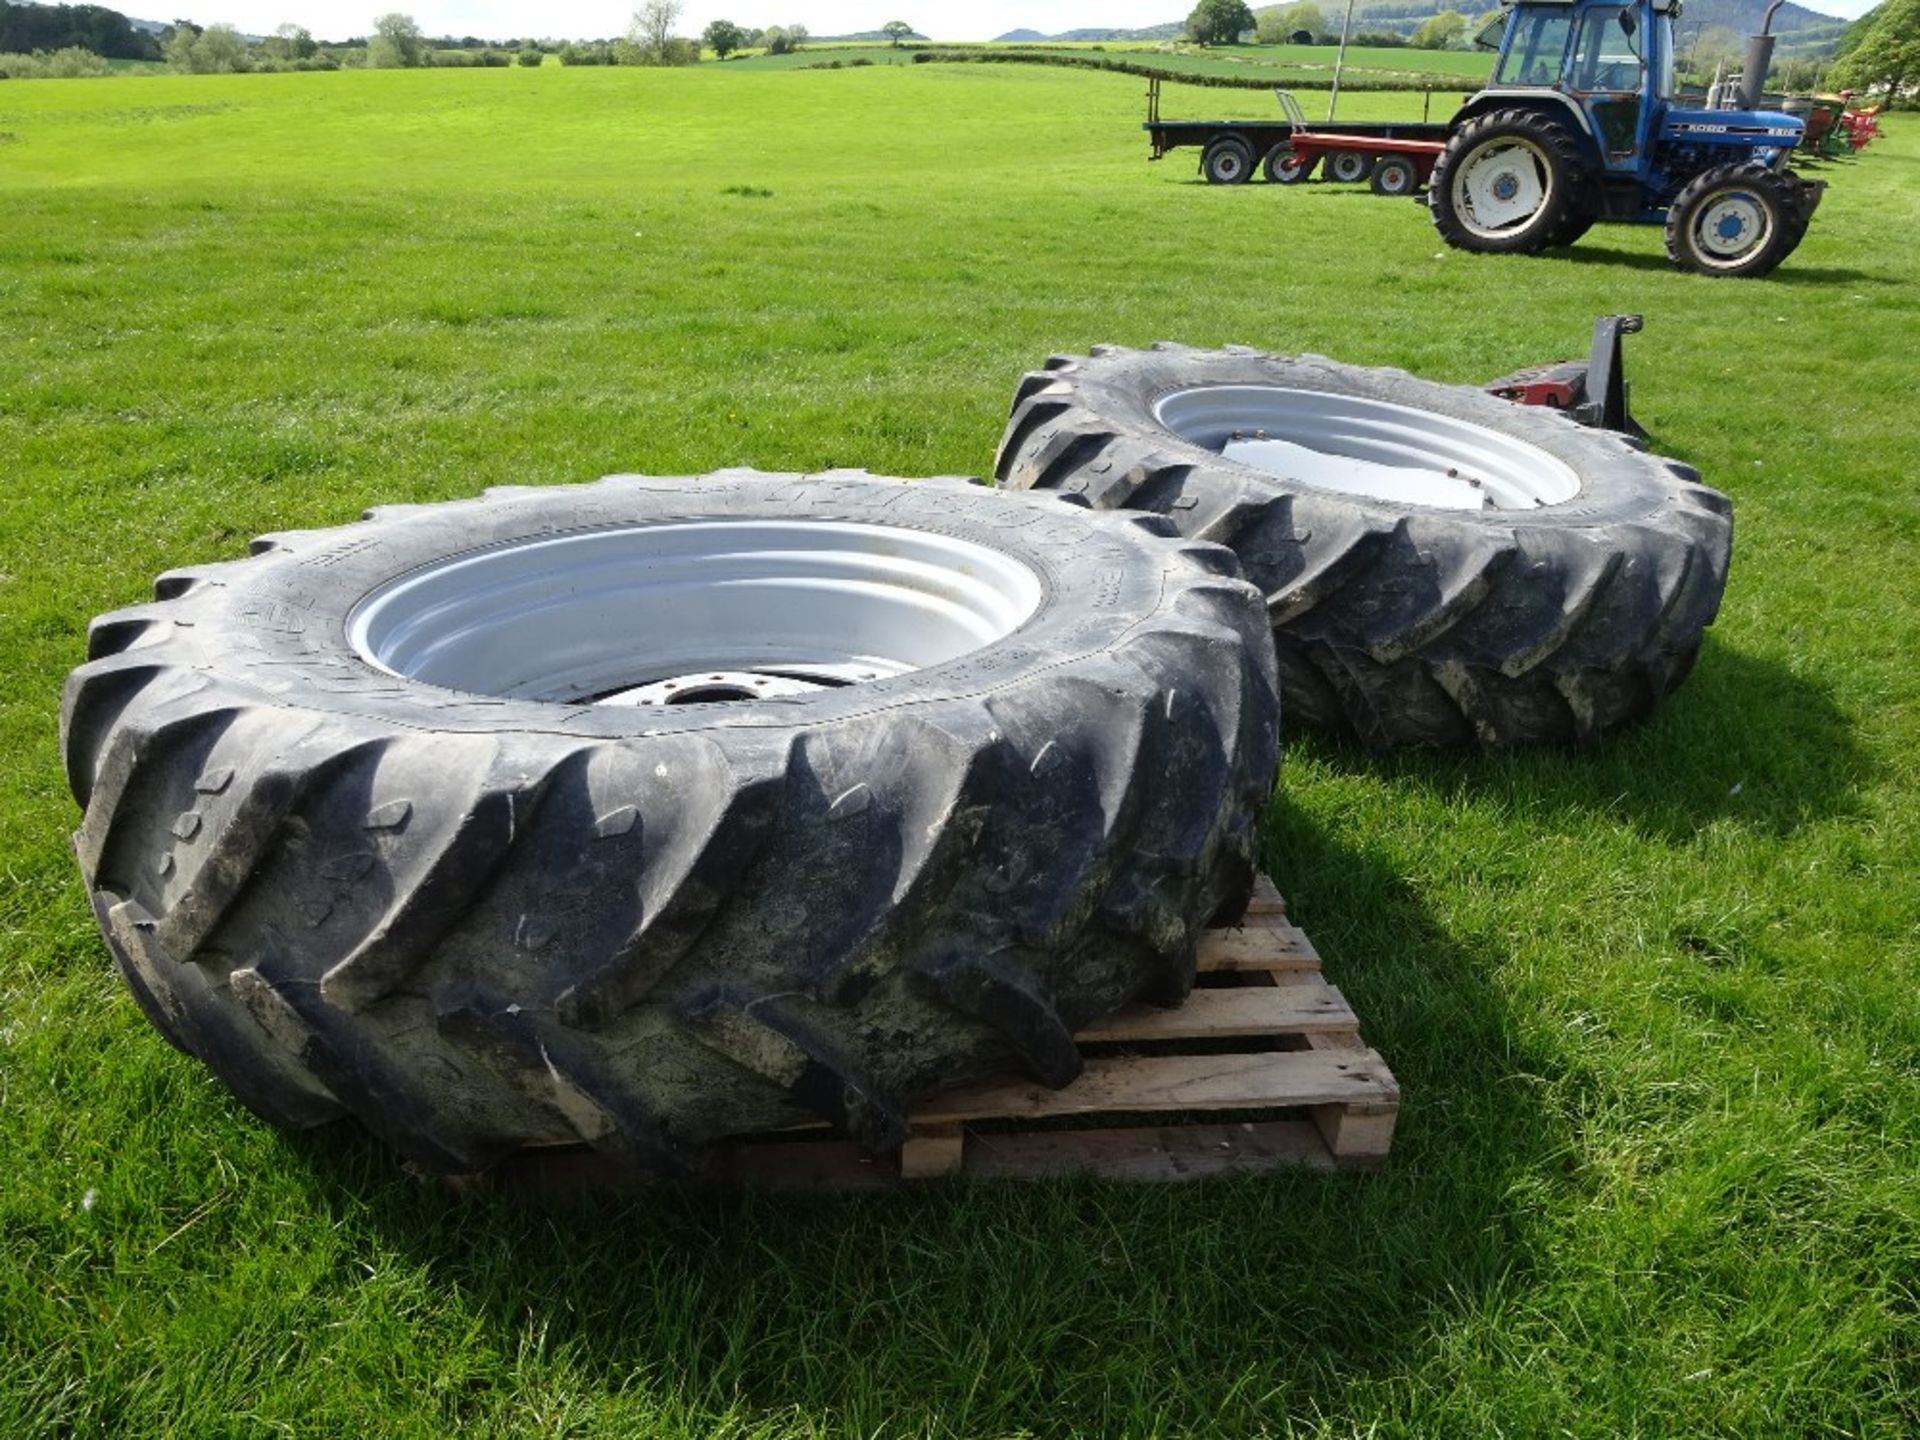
(1260,1034)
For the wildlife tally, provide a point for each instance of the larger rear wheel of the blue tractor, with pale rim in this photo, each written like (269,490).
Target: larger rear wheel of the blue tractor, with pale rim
(1508,183)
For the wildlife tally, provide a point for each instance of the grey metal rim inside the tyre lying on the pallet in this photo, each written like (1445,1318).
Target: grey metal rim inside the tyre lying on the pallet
(694,612)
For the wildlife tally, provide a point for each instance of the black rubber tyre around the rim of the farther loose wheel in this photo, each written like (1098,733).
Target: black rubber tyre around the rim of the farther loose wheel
(1393,625)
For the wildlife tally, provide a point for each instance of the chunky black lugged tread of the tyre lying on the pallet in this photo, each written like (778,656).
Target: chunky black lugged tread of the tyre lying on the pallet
(483,942)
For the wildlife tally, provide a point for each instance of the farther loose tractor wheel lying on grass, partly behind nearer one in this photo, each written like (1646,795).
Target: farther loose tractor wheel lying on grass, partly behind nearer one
(1441,567)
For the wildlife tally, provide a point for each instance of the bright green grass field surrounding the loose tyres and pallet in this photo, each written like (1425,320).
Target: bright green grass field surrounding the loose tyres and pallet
(1652,1009)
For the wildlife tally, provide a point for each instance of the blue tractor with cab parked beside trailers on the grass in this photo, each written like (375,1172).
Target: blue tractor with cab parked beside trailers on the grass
(1581,126)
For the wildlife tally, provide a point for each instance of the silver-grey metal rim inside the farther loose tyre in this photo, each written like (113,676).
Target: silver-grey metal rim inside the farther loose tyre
(1370,448)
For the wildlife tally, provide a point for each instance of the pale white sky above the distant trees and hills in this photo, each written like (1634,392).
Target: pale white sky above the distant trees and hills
(500,20)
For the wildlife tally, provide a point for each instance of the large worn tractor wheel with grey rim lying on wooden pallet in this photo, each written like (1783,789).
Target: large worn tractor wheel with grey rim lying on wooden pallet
(661,809)
